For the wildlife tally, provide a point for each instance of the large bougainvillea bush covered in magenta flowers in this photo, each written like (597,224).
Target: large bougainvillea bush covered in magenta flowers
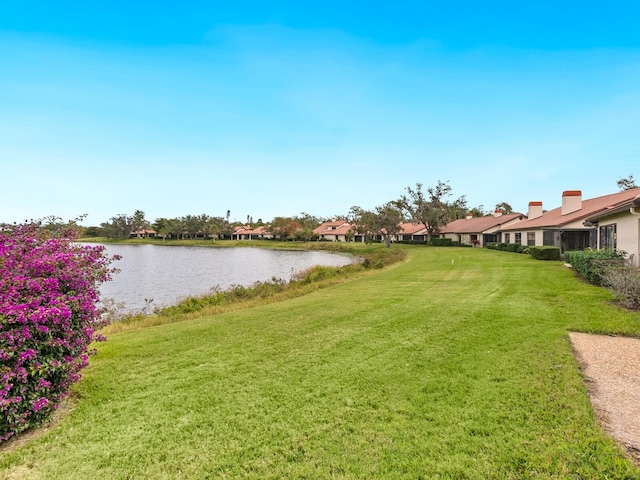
(49,316)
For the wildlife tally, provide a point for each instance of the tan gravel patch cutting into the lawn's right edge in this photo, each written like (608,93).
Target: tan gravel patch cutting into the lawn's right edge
(610,366)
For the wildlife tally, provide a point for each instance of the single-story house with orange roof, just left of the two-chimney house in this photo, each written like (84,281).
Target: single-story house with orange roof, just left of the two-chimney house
(478,231)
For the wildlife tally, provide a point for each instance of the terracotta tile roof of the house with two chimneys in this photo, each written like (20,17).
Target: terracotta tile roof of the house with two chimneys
(590,207)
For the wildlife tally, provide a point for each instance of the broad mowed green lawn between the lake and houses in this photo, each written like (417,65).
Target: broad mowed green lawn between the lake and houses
(454,364)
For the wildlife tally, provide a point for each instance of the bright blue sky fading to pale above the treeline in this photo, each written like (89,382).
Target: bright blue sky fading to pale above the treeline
(276,108)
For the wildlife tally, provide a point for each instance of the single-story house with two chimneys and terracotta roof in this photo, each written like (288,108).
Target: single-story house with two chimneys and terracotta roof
(564,226)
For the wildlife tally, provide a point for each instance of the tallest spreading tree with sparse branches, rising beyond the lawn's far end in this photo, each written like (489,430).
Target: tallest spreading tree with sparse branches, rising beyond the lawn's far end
(432,209)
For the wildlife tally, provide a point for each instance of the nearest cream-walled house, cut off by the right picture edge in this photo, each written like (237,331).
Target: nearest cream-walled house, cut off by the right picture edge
(619,228)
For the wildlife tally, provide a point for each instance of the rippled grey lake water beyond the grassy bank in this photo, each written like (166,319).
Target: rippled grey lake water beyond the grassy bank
(168,274)
